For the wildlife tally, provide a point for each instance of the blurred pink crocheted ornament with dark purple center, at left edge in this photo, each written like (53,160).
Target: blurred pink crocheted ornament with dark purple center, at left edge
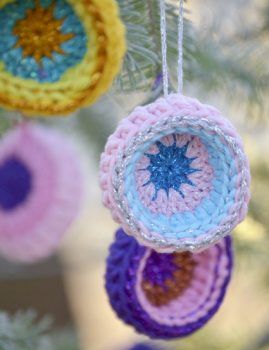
(41,191)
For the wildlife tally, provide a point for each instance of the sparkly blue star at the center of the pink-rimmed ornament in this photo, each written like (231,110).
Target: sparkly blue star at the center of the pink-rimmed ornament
(169,168)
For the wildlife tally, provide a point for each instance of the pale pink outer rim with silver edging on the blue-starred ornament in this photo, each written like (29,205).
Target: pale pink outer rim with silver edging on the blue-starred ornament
(130,130)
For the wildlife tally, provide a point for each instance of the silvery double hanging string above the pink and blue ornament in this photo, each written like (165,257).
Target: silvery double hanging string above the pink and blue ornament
(164,46)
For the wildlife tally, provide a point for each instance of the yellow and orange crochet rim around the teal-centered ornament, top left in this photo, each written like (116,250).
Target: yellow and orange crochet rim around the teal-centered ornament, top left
(90,79)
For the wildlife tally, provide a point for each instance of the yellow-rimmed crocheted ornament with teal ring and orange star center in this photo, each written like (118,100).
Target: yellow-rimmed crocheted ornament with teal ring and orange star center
(58,55)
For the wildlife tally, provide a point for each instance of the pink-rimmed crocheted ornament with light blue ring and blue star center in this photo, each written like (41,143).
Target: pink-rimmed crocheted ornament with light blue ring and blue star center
(175,176)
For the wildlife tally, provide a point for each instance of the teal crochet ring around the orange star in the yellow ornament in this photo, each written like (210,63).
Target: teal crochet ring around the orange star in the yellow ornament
(48,69)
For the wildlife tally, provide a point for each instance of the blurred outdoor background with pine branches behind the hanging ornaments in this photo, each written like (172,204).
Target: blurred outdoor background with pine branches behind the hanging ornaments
(226,50)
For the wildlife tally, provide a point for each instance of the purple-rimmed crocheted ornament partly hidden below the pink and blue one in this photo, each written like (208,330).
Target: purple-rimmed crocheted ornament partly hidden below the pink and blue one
(166,295)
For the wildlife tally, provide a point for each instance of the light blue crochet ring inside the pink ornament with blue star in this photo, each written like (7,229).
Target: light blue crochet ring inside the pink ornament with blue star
(187,224)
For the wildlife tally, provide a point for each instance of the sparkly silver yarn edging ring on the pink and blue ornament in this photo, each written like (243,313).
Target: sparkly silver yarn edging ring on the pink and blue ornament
(124,158)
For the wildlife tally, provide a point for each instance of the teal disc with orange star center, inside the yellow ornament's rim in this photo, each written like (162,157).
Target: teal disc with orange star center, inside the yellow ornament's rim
(46,56)
